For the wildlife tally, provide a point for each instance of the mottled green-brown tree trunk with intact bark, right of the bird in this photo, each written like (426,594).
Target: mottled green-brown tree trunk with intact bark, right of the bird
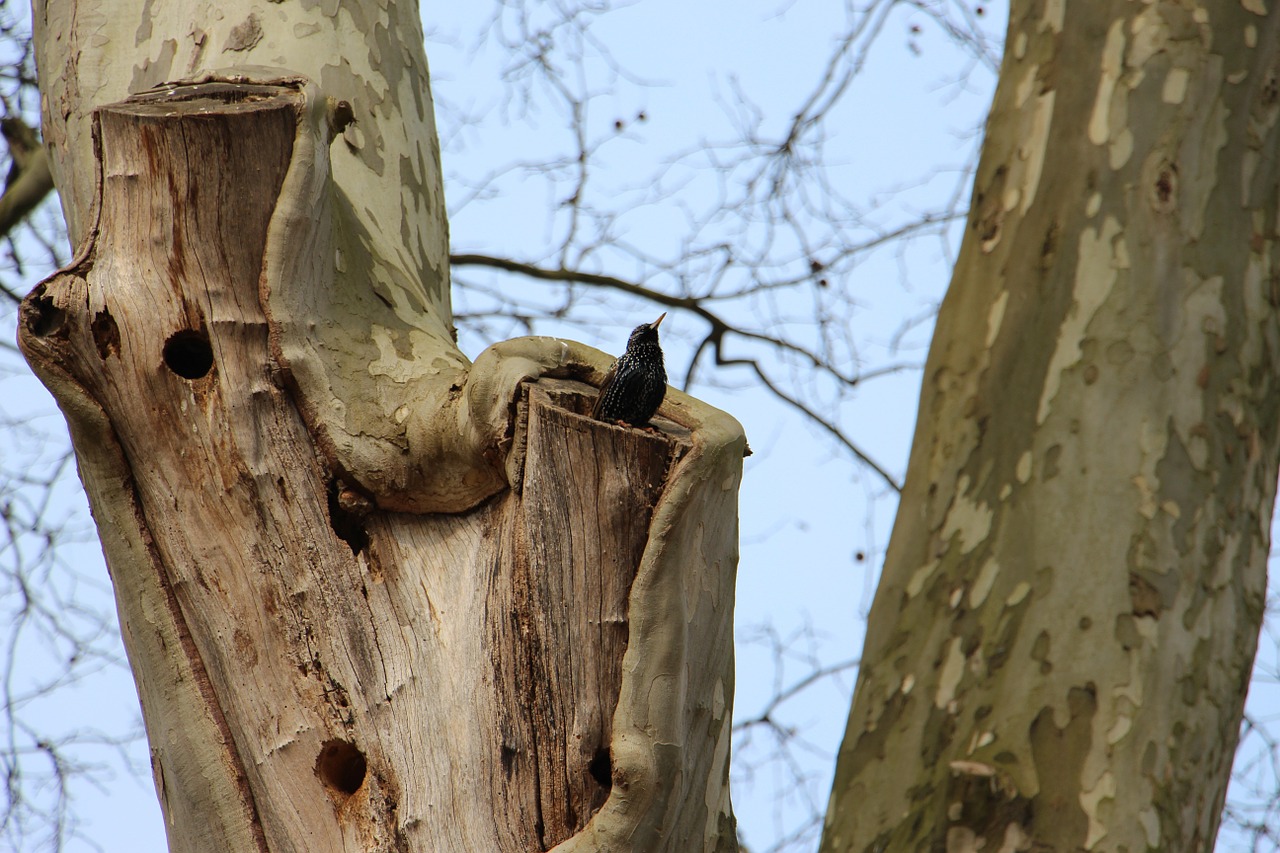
(1060,646)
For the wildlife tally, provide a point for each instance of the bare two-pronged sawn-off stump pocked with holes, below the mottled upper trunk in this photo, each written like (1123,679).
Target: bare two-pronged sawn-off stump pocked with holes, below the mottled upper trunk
(319,674)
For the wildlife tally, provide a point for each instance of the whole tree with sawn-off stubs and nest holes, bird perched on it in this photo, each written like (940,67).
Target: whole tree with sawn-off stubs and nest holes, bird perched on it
(374,597)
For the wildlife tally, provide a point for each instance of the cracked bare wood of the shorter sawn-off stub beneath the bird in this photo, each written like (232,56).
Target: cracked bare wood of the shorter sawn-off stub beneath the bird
(572,548)
